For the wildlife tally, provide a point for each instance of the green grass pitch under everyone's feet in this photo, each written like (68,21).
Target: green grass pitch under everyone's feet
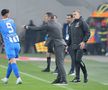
(34,79)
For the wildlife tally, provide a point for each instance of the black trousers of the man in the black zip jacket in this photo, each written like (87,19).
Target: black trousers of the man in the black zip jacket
(77,57)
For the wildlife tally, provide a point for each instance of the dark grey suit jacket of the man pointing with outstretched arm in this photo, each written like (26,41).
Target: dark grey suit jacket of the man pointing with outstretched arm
(54,31)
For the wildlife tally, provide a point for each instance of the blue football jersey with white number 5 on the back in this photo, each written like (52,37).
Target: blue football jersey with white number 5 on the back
(8,31)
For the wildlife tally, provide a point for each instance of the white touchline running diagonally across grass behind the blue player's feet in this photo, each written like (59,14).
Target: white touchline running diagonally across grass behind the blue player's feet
(38,78)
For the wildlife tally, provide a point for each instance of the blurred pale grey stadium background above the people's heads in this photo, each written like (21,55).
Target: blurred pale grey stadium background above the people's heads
(25,10)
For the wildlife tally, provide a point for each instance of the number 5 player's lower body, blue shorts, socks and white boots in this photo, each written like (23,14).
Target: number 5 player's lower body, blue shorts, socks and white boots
(12,53)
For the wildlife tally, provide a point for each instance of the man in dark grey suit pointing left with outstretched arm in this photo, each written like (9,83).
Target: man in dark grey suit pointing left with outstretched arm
(54,30)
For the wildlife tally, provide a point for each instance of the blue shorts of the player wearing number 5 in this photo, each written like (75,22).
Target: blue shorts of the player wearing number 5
(12,51)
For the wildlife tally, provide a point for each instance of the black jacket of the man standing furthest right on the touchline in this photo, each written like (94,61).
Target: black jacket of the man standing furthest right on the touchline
(78,32)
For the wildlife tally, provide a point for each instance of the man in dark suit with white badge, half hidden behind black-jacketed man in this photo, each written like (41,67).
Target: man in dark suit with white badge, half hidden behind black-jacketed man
(66,26)
